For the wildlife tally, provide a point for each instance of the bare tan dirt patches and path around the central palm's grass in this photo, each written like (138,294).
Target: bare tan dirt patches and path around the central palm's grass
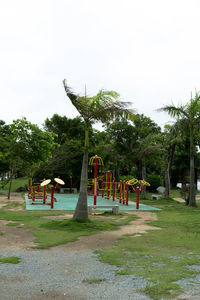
(19,238)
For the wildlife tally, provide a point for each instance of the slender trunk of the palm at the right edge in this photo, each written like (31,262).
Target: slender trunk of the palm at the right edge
(192,200)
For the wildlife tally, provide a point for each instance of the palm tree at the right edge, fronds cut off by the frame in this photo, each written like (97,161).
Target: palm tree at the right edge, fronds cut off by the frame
(189,114)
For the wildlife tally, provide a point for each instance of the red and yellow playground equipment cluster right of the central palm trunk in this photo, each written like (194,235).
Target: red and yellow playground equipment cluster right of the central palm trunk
(111,188)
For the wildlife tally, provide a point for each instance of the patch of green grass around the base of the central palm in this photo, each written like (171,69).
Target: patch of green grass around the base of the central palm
(50,233)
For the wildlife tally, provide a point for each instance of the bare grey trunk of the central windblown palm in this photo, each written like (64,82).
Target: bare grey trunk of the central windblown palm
(81,211)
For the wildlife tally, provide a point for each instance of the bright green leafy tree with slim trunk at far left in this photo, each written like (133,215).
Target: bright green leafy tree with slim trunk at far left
(28,145)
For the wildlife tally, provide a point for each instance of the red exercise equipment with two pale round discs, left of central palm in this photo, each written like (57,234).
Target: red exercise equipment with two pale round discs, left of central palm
(39,191)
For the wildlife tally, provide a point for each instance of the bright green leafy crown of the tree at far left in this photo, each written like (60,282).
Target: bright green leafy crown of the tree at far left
(24,146)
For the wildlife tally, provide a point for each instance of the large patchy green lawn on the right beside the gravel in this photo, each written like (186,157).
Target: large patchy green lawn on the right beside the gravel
(162,256)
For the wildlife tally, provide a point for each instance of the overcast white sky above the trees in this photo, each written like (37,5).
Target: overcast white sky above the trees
(147,50)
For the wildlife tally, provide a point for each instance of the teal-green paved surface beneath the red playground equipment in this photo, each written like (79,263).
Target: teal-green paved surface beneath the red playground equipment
(69,201)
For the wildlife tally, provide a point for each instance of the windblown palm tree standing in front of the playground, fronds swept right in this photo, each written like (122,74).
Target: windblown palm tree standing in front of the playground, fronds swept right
(103,107)
